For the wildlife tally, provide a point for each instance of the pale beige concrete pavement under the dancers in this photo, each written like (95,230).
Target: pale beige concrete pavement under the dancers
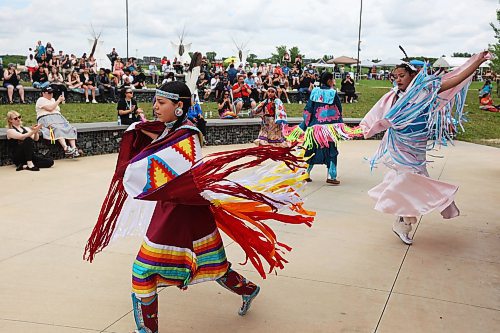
(348,273)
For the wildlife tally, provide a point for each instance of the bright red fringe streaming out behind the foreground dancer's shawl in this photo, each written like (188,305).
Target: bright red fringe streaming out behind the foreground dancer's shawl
(260,242)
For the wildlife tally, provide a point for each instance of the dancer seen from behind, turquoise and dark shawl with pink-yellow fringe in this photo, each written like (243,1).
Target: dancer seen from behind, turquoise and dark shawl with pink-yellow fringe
(323,128)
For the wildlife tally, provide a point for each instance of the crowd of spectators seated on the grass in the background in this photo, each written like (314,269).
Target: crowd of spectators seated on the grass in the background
(66,72)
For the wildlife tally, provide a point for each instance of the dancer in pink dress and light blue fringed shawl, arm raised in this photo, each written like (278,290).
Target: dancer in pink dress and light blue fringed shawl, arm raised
(419,109)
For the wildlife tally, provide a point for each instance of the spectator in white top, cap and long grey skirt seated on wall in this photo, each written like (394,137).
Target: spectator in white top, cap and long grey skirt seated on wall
(54,125)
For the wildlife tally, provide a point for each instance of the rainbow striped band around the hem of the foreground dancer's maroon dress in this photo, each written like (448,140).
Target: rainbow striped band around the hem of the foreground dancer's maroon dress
(159,265)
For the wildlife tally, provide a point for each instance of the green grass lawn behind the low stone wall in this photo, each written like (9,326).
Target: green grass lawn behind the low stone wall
(483,127)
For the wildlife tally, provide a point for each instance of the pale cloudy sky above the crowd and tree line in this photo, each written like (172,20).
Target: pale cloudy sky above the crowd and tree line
(317,27)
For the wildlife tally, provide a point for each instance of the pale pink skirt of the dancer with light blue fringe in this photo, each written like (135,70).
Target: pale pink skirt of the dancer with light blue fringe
(412,194)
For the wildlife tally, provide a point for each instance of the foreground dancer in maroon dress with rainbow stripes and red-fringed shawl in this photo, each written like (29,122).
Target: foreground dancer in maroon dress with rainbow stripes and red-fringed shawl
(162,187)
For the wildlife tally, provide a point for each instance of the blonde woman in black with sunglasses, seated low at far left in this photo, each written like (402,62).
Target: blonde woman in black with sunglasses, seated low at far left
(20,141)
